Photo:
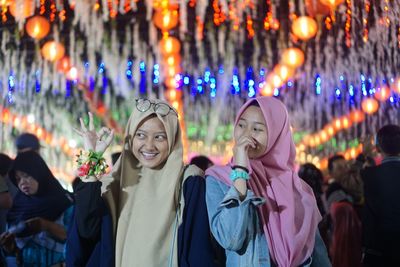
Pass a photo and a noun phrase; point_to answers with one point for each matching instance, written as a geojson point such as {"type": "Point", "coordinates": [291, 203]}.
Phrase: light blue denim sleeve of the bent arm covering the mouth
{"type": "Point", "coordinates": [230, 217]}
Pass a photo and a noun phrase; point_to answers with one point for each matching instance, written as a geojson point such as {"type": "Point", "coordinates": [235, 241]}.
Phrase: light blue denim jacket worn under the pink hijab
{"type": "Point", "coordinates": [236, 226]}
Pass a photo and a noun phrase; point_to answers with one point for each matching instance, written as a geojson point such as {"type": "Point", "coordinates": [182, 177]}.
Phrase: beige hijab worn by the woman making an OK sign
{"type": "Point", "coordinates": [144, 201]}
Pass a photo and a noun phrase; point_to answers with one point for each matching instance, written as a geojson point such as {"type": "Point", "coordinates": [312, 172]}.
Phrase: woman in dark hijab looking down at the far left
{"type": "Point", "coordinates": [39, 216]}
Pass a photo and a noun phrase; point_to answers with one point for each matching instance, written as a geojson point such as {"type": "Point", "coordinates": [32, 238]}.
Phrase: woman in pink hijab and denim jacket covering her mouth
{"type": "Point", "coordinates": [260, 211]}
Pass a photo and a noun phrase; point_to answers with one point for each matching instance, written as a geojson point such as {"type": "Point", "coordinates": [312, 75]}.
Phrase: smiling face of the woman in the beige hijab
{"type": "Point", "coordinates": [150, 143]}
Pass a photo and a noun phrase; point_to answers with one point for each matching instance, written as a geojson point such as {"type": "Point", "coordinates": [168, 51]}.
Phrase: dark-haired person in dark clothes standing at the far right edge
{"type": "Point", "coordinates": [381, 220]}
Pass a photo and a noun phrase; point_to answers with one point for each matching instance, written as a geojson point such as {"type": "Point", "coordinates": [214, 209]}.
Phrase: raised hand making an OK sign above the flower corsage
{"type": "Point", "coordinates": [92, 140]}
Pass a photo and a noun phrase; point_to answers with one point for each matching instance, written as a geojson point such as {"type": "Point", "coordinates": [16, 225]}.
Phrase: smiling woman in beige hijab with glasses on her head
{"type": "Point", "coordinates": [156, 205]}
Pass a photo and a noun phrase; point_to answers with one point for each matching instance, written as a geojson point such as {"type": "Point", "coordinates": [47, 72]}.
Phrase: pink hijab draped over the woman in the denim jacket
{"type": "Point", "coordinates": [290, 215]}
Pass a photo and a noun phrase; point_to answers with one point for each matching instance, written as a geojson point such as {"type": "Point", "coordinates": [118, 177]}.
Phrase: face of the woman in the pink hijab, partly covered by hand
{"type": "Point", "coordinates": [252, 124]}
